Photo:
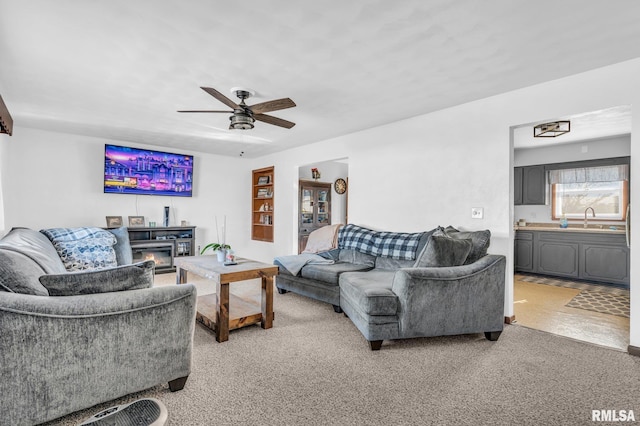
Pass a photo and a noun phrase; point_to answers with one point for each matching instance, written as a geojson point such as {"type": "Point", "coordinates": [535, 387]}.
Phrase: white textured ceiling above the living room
{"type": "Point", "coordinates": [120, 68]}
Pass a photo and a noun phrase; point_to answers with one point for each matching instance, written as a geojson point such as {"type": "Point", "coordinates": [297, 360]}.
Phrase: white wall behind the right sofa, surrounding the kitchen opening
{"type": "Point", "coordinates": [431, 169]}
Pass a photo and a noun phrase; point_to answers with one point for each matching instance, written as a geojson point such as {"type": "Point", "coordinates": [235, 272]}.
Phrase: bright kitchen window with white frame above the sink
{"type": "Point", "coordinates": [603, 188]}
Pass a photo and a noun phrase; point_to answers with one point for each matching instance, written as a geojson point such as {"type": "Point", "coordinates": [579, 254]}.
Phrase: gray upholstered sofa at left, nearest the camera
{"type": "Point", "coordinates": [70, 340]}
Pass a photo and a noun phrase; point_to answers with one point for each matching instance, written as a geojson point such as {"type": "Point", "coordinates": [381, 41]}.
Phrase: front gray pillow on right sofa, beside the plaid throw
{"type": "Point", "coordinates": [442, 251]}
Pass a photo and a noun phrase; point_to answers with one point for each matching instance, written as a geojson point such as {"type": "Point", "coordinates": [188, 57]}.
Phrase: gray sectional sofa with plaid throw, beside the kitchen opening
{"type": "Point", "coordinates": [398, 285]}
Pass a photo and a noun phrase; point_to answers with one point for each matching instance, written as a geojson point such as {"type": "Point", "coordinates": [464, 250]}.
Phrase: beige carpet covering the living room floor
{"type": "Point", "coordinates": [315, 368]}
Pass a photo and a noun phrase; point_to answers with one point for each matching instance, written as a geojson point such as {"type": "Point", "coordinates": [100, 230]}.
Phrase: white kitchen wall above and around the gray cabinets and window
{"type": "Point", "coordinates": [619, 146]}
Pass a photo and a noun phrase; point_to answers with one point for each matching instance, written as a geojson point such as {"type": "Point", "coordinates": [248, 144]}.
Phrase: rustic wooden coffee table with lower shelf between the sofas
{"type": "Point", "coordinates": [222, 311]}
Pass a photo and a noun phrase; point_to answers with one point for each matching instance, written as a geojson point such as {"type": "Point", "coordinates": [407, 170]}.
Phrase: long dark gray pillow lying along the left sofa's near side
{"type": "Point", "coordinates": [126, 277]}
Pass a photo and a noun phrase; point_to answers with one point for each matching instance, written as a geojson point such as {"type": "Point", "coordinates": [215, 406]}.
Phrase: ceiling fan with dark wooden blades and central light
{"type": "Point", "coordinates": [245, 115]}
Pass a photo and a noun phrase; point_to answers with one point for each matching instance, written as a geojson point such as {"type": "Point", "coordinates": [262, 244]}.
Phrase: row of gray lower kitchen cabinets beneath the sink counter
{"type": "Point", "coordinates": [598, 257]}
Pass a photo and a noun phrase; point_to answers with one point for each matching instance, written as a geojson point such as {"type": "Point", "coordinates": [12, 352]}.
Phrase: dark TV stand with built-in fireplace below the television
{"type": "Point", "coordinates": [162, 244]}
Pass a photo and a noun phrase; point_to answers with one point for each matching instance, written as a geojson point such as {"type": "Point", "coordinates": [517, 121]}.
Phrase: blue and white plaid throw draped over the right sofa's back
{"type": "Point", "coordinates": [396, 245]}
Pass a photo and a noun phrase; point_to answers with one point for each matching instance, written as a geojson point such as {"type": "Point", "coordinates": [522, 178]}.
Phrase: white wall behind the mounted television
{"type": "Point", "coordinates": [56, 180]}
